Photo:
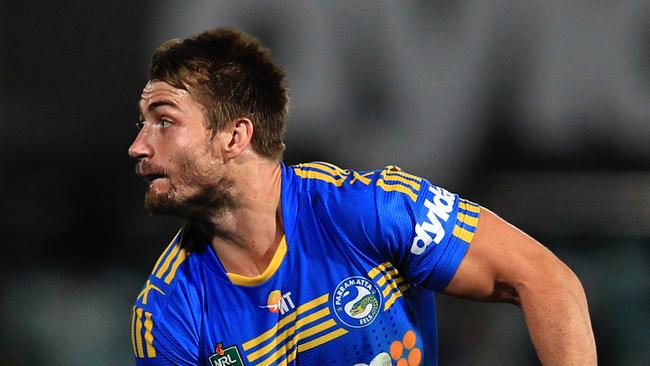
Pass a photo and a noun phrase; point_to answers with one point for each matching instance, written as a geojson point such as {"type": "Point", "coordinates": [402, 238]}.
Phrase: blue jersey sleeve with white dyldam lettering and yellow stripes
{"type": "Point", "coordinates": [426, 228]}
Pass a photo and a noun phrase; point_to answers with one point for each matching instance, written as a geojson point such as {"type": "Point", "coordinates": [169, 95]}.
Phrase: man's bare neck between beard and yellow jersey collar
{"type": "Point", "coordinates": [246, 237]}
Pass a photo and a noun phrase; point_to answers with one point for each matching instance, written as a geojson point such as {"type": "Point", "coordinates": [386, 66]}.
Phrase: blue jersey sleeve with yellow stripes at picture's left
{"type": "Point", "coordinates": [163, 328]}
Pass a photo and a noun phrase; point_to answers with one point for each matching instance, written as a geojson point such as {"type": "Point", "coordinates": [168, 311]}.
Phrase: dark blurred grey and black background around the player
{"type": "Point", "coordinates": [537, 110]}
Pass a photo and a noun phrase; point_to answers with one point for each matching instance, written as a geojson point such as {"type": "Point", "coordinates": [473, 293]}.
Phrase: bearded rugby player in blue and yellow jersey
{"type": "Point", "coordinates": [311, 264]}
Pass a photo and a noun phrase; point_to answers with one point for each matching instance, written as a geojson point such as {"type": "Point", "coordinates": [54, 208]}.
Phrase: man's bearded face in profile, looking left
{"type": "Point", "coordinates": [178, 155]}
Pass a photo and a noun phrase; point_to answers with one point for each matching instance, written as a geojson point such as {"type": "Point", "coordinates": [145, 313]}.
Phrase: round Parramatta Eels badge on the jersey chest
{"type": "Point", "coordinates": [356, 301]}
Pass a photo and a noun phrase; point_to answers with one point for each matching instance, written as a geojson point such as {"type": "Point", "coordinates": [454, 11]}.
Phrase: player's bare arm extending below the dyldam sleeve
{"type": "Point", "coordinates": [503, 264]}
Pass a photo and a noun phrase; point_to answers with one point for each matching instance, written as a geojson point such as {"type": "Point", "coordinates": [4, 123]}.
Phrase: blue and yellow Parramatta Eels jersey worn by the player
{"type": "Point", "coordinates": [351, 283]}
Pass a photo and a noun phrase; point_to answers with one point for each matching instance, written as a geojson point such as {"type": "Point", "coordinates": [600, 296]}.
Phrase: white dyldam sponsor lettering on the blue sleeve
{"type": "Point", "coordinates": [439, 209]}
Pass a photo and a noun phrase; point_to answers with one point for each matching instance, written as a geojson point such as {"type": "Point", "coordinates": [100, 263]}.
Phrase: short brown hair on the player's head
{"type": "Point", "coordinates": [232, 75]}
